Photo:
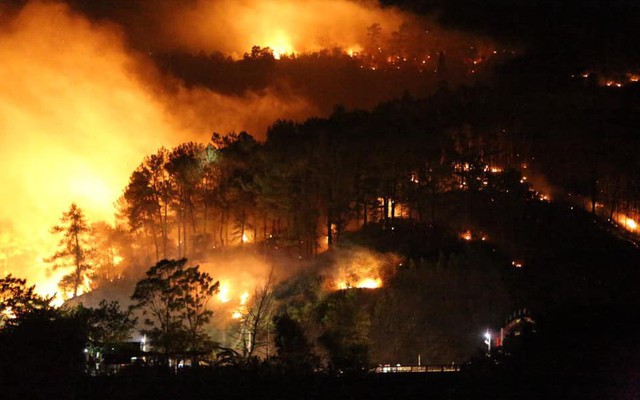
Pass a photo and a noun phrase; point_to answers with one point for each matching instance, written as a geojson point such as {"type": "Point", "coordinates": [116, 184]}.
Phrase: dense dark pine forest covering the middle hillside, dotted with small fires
{"type": "Point", "coordinates": [470, 205]}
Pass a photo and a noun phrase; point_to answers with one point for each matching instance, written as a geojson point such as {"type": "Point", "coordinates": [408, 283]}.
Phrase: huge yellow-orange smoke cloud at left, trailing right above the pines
{"type": "Point", "coordinates": [78, 112]}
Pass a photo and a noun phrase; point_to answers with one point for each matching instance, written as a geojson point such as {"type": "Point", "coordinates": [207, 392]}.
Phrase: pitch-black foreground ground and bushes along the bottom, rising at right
{"type": "Point", "coordinates": [588, 352]}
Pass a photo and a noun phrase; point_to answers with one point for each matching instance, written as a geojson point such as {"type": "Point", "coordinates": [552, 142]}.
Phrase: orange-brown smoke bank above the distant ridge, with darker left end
{"type": "Point", "coordinates": [233, 27]}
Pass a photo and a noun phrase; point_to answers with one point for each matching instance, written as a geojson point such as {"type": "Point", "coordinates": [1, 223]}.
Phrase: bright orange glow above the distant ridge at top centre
{"type": "Point", "coordinates": [285, 26]}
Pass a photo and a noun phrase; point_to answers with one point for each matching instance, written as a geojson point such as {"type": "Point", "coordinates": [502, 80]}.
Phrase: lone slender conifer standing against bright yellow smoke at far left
{"type": "Point", "coordinates": [74, 250]}
